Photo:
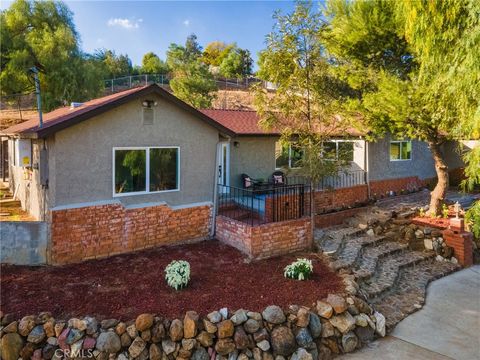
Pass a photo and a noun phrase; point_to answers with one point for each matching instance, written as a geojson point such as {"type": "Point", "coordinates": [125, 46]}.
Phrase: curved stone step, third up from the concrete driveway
{"type": "Point", "coordinates": [367, 265]}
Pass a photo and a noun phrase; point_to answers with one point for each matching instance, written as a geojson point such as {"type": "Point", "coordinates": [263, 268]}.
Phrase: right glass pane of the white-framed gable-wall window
{"type": "Point", "coordinates": [163, 169]}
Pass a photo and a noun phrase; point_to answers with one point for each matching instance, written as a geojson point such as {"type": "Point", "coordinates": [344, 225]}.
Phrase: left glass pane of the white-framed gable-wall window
{"type": "Point", "coordinates": [130, 171]}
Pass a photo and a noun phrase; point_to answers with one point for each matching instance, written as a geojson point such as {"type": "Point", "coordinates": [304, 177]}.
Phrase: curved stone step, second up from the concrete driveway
{"type": "Point", "coordinates": [388, 271]}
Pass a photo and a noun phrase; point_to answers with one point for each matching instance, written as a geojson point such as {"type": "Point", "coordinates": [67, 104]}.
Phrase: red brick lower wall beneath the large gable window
{"type": "Point", "coordinates": [83, 233]}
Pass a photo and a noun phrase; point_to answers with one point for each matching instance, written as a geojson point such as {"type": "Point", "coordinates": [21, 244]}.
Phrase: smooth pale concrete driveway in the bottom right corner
{"type": "Point", "coordinates": [446, 328]}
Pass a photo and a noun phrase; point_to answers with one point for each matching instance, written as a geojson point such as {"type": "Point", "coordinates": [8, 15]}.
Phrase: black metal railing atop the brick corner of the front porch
{"type": "Point", "coordinates": [266, 205]}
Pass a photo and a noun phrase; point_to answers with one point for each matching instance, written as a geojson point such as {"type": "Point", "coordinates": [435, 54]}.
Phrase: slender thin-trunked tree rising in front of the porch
{"type": "Point", "coordinates": [306, 104]}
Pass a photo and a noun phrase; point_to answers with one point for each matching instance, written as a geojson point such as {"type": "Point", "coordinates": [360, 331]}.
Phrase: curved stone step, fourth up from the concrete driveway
{"type": "Point", "coordinates": [352, 251]}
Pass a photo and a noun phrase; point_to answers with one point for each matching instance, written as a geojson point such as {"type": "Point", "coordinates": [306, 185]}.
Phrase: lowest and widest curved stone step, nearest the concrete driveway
{"type": "Point", "coordinates": [409, 295]}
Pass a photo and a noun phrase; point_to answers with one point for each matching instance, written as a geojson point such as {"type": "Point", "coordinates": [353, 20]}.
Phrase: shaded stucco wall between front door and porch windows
{"type": "Point", "coordinates": [254, 156]}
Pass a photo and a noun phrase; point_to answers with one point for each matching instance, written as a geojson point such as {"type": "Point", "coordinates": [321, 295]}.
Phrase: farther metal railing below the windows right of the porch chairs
{"type": "Point", "coordinates": [342, 180]}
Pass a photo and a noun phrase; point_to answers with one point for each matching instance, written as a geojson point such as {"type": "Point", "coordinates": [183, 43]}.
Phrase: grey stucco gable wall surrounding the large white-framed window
{"type": "Point", "coordinates": [81, 157]}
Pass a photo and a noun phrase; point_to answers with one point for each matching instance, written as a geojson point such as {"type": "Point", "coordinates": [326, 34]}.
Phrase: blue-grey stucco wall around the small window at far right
{"type": "Point", "coordinates": [380, 166]}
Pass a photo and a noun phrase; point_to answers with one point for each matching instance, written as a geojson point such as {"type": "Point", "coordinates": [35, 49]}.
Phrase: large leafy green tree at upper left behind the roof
{"type": "Point", "coordinates": [42, 34]}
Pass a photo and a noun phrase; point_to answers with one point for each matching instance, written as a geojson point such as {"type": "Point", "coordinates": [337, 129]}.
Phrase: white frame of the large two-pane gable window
{"type": "Point", "coordinates": [147, 160]}
